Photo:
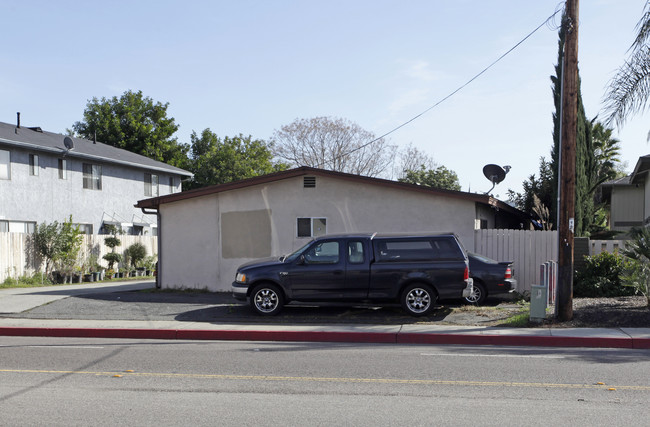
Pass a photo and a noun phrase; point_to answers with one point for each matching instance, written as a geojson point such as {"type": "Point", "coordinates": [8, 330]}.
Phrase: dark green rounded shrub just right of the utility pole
{"type": "Point", "coordinates": [601, 276]}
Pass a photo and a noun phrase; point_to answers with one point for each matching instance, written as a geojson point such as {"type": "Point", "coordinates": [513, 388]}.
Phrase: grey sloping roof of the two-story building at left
{"type": "Point", "coordinates": [39, 140]}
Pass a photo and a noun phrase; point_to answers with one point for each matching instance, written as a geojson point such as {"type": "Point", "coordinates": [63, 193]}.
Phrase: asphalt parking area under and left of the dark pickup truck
{"type": "Point", "coordinates": [112, 303]}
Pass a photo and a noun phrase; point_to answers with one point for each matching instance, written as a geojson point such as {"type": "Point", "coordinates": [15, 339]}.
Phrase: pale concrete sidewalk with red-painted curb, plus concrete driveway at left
{"type": "Point", "coordinates": [22, 299]}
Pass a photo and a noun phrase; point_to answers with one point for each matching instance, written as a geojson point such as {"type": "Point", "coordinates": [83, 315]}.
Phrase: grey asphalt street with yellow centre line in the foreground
{"type": "Point", "coordinates": [56, 381]}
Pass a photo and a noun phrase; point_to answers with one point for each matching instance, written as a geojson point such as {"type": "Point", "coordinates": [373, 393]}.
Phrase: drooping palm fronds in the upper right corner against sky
{"type": "Point", "coordinates": [629, 90]}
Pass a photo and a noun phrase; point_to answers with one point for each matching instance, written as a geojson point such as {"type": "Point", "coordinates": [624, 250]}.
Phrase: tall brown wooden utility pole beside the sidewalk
{"type": "Point", "coordinates": [566, 226]}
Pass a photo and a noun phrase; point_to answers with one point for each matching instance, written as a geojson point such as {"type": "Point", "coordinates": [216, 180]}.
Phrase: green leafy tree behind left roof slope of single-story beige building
{"type": "Point", "coordinates": [217, 161]}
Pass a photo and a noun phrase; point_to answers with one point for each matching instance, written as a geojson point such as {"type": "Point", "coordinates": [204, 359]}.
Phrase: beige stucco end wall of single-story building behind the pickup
{"type": "Point", "coordinates": [191, 237]}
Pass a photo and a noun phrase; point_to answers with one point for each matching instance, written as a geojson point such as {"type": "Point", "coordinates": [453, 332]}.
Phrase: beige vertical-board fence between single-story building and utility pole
{"type": "Point", "coordinates": [527, 249]}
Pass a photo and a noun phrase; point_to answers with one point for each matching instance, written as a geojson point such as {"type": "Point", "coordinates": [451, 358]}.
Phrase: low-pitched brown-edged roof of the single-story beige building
{"type": "Point", "coordinates": [155, 202]}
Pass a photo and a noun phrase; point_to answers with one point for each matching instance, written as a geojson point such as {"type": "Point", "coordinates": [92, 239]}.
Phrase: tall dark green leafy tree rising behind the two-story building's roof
{"type": "Point", "coordinates": [135, 123]}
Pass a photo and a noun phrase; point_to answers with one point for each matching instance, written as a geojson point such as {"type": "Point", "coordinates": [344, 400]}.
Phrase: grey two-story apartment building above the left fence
{"type": "Point", "coordinates": [44, 178]}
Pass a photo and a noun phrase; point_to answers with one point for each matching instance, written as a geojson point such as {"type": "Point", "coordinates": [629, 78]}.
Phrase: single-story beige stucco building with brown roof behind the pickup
{"type": "Point", "coordinates": [205, 234]}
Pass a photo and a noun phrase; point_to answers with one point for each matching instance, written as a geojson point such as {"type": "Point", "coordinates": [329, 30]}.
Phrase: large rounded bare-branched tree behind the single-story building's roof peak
{"type": "Point", "coordinates": [335, 144]}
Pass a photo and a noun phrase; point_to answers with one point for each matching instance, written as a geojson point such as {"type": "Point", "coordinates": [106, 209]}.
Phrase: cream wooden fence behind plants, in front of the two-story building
{"type": "Point", "coordinates": [17, 258]}
